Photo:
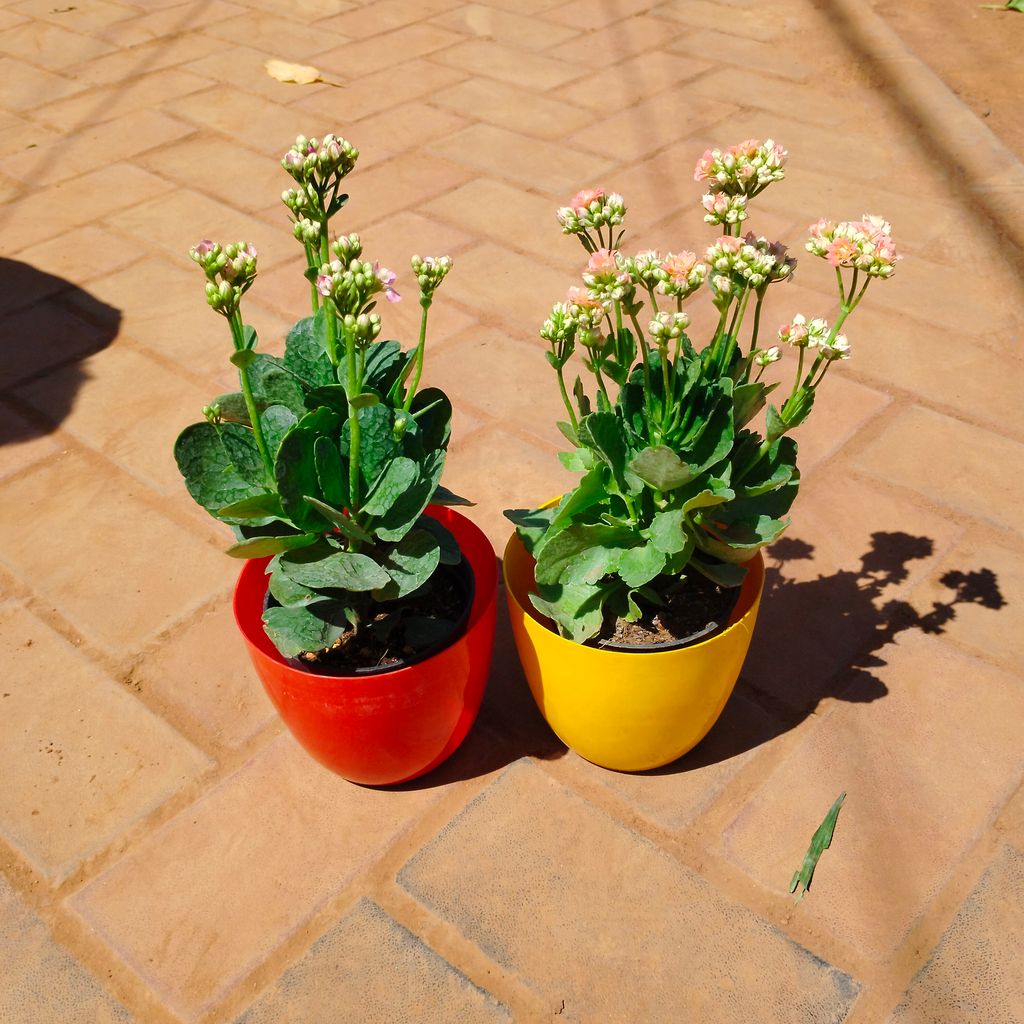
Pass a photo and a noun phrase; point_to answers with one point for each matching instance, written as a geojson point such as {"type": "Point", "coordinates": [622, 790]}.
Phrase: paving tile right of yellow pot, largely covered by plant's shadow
{"type": "Point", "coordinates": [836, 584]}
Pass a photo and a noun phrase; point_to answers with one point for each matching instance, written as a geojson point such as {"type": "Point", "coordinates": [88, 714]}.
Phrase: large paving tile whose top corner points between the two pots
{"type": "Point", "coordinates": [624, 902]}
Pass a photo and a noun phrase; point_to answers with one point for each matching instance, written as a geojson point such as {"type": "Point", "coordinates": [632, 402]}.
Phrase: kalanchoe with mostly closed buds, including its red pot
{"type": "Point", "coordinates": [367, 603]}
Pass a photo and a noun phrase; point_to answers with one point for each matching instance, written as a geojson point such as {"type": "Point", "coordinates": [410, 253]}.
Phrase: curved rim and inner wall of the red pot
{"type": "Point", "coordinates": [485, 573]}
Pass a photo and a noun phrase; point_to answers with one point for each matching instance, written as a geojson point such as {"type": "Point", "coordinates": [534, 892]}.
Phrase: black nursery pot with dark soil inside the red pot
{"type": "Point", "coordinates": [404, 632]}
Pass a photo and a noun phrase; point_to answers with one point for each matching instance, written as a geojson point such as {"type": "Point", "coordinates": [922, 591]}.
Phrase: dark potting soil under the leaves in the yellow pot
{"type": "Point", "coordinates": [692, 605]}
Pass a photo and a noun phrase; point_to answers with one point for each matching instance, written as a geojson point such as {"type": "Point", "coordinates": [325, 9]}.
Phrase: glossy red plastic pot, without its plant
{"type": "Point", "coordinates": [393, 728]}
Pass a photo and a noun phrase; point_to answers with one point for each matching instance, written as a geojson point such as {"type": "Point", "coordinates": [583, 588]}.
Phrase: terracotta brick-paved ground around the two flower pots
{"type": "Point", "coordinates": [168, 855]}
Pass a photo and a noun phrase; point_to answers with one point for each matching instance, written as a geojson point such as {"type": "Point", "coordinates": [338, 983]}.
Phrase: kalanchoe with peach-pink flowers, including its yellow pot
{"type": "Point", "coordinates": [633, 599]}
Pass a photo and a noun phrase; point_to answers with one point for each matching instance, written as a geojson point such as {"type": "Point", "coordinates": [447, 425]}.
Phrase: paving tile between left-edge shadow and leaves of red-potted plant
{"type": "Point", "coordinates": [120, 397]}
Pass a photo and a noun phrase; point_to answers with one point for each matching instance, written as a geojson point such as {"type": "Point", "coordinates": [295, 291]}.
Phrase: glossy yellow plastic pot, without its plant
{"type": "Point", "coordinates": [627, 710]}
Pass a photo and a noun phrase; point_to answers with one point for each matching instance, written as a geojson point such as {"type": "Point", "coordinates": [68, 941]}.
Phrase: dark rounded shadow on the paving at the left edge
{"type": "Point", "coordinates": [49, 327]}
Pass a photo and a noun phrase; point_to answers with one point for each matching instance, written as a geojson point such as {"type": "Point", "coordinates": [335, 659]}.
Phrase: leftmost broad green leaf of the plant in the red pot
{"type": "Point", "coordinates": [222, 465]}
